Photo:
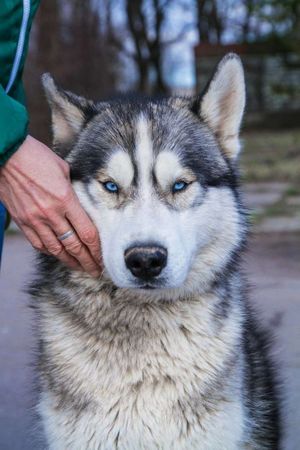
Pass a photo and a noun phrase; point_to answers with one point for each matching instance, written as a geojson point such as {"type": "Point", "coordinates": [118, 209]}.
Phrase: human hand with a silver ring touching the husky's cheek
{"type": "Point", "coordinates": [36, 189]}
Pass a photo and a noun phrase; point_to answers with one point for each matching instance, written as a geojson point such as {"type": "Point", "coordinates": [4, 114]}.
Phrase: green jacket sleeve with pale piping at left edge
{"type": "Point", "coordinates": [15, 22]}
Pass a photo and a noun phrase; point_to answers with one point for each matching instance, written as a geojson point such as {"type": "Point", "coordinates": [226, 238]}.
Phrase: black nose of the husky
{"type": "Point", "coordinates": [146, 262]}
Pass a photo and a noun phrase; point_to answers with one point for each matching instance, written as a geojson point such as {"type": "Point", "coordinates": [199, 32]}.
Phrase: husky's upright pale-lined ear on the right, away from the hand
{"type": "Point", "coordinates": [223, 103]}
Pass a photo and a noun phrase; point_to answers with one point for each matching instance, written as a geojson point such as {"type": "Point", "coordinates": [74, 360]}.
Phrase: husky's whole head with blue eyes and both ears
{"type": "Point", "coordinates": [157, 179]}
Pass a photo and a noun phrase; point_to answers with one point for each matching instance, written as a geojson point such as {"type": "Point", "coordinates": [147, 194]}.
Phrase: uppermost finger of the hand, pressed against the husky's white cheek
{"type": "Point", "coordinates": [85, 229]}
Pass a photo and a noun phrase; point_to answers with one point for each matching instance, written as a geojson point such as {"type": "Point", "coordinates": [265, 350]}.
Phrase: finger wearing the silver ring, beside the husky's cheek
{"type": "Point", "coordinates": [73, 246]}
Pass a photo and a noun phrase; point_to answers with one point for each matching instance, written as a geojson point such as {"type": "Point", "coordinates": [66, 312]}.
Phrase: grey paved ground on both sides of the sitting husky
{"type": "Point", "coordinates": [273, 267]}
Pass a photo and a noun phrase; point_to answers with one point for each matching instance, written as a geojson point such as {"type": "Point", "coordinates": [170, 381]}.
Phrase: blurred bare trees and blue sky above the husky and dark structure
{"type": "Point", "coordinates": [102, 46]}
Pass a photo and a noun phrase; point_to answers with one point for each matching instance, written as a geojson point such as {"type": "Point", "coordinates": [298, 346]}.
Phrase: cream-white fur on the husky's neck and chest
{"type": "Point", "coordinates": [123, 347]}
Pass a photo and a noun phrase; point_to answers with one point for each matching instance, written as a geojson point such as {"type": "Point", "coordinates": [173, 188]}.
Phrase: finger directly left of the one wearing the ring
{"type": "Point", "coordinates": [54, 247]}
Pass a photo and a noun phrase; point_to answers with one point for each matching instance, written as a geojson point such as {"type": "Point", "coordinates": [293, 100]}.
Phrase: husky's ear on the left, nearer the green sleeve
{"type": "Point", "coordinates": [69, 113]}
